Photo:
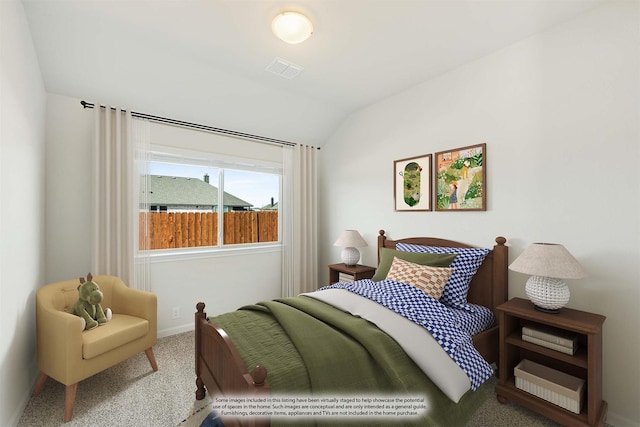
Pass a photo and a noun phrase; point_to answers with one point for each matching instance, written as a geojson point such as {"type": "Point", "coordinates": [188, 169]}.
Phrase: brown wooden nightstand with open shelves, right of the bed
{"type": "Point", "coordinates": [585, 364]}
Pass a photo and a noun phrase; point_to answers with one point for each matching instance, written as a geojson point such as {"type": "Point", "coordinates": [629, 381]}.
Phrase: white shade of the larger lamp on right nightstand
{"type": "Point", "coordinates": [548, 260]}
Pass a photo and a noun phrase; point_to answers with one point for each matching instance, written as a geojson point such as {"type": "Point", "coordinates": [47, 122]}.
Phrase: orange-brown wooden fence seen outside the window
{"type": "Point", "coordinates": [191, 229]}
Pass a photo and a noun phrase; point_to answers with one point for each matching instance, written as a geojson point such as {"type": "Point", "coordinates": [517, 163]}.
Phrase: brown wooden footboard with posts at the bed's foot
{"type": "Point", "coordinates": [220, 368]}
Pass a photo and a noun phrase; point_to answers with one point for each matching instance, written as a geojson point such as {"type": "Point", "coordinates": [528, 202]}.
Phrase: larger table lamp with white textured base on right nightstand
{"type": "Point", "coordinates": [548, 264]}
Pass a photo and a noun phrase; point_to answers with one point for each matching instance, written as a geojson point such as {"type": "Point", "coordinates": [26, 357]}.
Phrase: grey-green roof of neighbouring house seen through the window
{"type": "Point", "coordinates": [179, 191]}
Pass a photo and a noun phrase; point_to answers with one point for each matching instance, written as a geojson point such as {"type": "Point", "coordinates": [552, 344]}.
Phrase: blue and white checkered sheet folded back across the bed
{"type": "Point", "coordinates": [452, 329]}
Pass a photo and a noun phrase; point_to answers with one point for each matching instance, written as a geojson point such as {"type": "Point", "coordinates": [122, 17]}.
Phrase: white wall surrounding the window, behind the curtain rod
{"type": "Point", "coordinates": [223, 282]}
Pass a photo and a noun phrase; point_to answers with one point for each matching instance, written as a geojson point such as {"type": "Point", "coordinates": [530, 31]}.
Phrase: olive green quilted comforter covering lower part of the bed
{"type": "Point", "coordinates": [310, 347]}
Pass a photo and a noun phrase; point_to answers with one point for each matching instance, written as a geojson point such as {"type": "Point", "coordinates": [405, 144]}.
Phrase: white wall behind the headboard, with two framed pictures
{"type": "Point", "coordinates": [559, 114]}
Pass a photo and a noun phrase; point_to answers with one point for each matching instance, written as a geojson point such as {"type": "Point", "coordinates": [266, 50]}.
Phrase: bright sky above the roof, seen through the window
{"type": "Point", "coordinates": [253, 187]}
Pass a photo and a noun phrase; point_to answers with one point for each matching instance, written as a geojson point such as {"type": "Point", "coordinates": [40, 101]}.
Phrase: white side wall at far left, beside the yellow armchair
{"type": "Point", "coordinates": [22, 187]}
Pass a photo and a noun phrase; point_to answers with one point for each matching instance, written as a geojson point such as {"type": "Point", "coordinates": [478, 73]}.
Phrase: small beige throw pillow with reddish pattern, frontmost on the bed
{"type": "Point", "coordinates": [430, 280]}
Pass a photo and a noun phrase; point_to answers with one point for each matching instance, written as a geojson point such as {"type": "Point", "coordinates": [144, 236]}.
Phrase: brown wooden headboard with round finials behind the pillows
{"type": "Point", "coordinates": [489, 286]}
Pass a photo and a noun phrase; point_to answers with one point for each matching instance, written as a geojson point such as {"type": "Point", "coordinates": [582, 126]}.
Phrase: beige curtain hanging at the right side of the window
{"type": "Point", "coordinates": [300, 220]}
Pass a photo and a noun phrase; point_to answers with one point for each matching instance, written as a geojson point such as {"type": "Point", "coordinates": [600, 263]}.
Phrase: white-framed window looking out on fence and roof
{"type": "Point", "coordinates": [202, 200]}
